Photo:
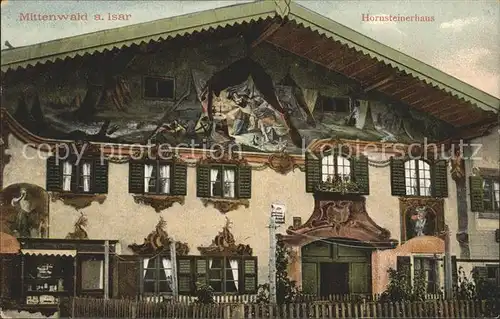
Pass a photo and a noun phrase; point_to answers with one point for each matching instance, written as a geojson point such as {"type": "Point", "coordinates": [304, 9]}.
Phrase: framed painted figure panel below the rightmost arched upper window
{"type": "Point", "coordinates": [421, 217]}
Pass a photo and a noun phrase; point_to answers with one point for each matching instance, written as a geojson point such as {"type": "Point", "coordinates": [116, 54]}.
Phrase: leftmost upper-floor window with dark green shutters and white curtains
{"type": "Point", "coordinates": [88, 175]}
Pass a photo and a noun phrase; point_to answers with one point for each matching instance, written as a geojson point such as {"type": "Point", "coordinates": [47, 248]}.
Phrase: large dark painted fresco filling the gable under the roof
{"type": "Point", "coordinates": [243, 101]}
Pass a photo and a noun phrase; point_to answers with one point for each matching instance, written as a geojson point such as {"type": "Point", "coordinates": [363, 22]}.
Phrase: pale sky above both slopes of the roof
{"type": "Point", "coordinates": [460, 37]}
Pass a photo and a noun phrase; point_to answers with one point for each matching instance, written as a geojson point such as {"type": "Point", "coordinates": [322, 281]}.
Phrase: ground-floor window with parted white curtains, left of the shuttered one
{"type": "Point", "coordinates": [156, 276]}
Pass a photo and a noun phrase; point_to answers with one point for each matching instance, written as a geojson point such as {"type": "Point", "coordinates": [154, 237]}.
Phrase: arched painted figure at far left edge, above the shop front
{"type": "Point", "coordinates": [24, 211]}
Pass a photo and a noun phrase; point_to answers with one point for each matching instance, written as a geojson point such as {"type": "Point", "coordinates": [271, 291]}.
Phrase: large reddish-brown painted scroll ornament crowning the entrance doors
{"type": "Point", "coordinates": [341, 216]}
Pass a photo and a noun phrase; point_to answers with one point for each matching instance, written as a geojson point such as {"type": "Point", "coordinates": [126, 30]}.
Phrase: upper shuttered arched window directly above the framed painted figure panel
{"type": "Point", "coordinates": [417, 177]}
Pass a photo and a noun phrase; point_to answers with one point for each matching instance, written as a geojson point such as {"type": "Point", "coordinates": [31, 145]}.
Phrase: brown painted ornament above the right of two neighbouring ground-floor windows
{"type": "Point", "coordinates": [225, 245]}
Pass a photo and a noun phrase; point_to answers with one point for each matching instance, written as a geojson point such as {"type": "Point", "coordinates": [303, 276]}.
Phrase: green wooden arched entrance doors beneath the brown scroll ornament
{"type": "Point", "coordinates": [336, 266]}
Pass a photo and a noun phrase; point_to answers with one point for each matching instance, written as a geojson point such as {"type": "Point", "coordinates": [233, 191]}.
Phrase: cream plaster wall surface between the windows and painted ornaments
{"type": "Point", "coordinates": [119, 217]}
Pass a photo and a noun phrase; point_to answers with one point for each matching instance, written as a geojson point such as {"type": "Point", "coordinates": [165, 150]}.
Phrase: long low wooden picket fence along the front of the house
{"type": "Point", "coordinates": [116, 308]}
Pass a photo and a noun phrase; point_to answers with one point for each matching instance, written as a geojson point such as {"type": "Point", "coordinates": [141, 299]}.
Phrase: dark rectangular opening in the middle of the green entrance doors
{"type": "Point", "coordinates": [334, 279]}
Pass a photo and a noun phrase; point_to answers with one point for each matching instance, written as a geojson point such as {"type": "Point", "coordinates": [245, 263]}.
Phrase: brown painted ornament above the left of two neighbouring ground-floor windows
{"type": "Point", "coordinates": [158, 241]}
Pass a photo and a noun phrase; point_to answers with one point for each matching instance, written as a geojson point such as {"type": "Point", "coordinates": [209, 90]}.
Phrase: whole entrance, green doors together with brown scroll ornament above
{"type": "Point", "coordinates": [332, 250]}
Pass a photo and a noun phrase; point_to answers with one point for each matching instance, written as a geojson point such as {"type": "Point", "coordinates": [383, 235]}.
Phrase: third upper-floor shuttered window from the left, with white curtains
{"type": "Point", "coordinates": [224, 181]}
